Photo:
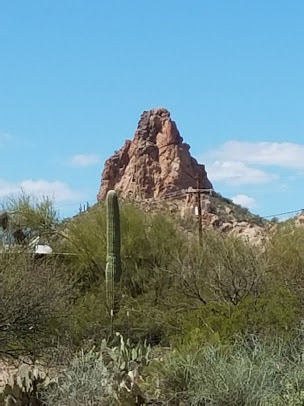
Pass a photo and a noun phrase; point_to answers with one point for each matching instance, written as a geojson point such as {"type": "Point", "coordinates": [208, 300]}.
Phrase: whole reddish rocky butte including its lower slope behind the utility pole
{"type": "Point", "coordinates": [156, 170]}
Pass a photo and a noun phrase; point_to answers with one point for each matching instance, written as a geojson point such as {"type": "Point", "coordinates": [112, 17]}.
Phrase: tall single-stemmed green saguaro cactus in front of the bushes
{"type": "Point", "coordinates": [113, 267]}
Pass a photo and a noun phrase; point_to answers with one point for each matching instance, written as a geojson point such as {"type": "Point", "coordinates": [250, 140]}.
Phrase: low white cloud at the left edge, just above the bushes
{"type": "Point", "coordinates": [57, 190]}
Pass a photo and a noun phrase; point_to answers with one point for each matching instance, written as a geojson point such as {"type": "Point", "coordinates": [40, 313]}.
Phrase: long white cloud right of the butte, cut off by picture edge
{"type": "Point", "coordinates": [284, 154]}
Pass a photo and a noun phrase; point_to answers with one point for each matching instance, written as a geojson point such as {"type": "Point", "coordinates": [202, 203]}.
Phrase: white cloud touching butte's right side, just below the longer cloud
{"type": "Point", "coordinates": [237, 172]}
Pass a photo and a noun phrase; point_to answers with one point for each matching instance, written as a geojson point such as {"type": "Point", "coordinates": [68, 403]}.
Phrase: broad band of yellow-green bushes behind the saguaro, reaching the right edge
{"type": "Point", "coordinates": [174, 290]}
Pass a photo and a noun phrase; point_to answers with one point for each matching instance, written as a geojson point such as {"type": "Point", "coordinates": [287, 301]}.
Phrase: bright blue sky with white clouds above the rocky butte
{"type": "Point", "coordinates": [75, 76]}
